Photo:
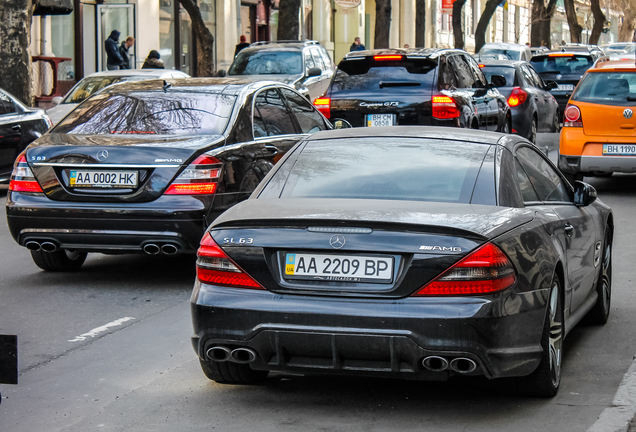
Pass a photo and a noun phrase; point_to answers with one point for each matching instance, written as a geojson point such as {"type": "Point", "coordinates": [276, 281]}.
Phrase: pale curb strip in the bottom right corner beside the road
{"type": "Point", "coordinates": [617, 417]}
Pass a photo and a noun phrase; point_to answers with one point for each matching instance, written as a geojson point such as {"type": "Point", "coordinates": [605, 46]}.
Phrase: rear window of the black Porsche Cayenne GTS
{"type": "Point", "coordinates": [392, 76]}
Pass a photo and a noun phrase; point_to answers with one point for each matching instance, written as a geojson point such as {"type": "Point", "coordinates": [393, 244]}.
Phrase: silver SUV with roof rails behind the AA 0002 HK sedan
{"type": "Point", "coordinates": [305, 65]}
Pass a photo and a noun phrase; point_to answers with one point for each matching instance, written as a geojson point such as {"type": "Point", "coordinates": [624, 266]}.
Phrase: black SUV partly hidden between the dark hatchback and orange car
{"type": "Point", "coordinates": [566, 66]}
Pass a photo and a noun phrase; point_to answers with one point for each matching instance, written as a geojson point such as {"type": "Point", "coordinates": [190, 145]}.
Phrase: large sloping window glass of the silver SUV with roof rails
{"type": "Point", "coordinates": [266, 62]}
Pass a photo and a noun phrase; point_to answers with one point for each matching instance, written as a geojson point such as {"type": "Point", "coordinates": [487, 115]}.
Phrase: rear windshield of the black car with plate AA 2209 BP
{"type": "Point", "coordinates": [408, 169]}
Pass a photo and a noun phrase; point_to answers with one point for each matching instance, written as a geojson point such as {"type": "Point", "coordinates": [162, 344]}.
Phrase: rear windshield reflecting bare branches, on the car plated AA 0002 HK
{"type": "Point", "coordinates": [174, 113]}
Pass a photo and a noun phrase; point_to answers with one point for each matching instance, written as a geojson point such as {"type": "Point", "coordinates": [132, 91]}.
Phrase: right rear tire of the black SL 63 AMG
{"type": "Point", "coordinates": [545, 380]}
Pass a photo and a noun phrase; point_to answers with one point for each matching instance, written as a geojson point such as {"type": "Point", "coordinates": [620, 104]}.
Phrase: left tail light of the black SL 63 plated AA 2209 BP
{"type": "Point", "coordinates": [216, 268]}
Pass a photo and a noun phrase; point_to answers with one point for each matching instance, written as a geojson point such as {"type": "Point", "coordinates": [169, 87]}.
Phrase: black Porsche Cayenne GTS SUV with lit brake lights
{"type": "Point", "coordinates": [443, 87]}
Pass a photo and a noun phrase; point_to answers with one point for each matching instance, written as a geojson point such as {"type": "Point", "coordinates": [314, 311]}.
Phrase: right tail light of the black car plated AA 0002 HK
{"type": "Point", "coordinates": [200, 177]}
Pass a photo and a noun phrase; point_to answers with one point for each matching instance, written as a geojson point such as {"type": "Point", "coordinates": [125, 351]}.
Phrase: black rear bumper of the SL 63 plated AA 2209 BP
{"type": "Point", "coordinates": [320, 335]}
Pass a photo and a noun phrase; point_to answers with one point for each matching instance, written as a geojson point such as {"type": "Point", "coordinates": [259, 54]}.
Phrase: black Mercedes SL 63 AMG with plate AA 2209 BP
{"type": "Point", "coordinates": [412, 252]}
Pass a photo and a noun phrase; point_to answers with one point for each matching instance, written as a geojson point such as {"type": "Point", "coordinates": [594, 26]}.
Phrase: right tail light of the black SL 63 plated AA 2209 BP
{"type": "Point", "coordinates": [484, 271]}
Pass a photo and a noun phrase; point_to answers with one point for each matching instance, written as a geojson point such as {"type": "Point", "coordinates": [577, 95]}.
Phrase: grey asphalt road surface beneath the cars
{"type": "Point", "coordinates": [141, 374]}
